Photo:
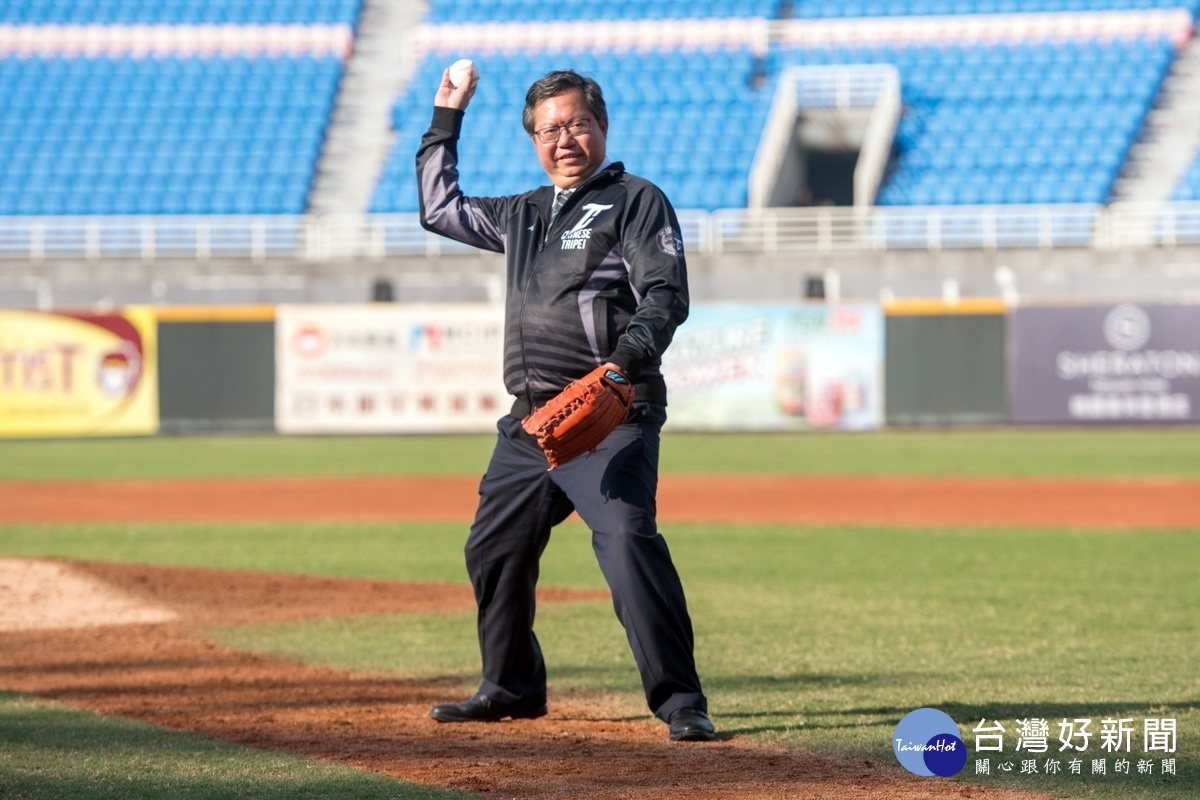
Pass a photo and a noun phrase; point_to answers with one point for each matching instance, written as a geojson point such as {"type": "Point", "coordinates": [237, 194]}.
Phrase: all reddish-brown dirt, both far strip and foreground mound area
{"type": "Point", "coordinates": [167, 673]}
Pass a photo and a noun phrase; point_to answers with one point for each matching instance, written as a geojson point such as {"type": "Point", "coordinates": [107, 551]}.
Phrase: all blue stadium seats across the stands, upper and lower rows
{"type": "Point", "coordinates": [986, 122]}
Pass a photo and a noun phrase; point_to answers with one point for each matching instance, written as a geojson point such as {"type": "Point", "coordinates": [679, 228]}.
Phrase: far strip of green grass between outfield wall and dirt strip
{"type": "Point", "coordinates": [1125, 453]}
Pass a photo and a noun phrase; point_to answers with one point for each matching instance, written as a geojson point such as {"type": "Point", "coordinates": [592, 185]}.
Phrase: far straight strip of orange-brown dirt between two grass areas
{"type": "Point", "coordinates": [1151, 503]}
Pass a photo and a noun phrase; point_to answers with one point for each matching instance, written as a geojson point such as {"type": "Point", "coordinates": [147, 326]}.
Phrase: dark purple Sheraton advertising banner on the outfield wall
{"type": "Point", "coordinates": [1106, 364]}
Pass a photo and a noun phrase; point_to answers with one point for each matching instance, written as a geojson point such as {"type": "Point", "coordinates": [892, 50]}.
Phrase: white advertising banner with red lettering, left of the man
{"type": "Point", "coordinates": [385, 369]}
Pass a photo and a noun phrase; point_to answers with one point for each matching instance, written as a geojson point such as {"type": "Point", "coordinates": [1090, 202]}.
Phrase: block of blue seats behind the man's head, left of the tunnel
{"type": "Point", "coordinates": [718, 109]}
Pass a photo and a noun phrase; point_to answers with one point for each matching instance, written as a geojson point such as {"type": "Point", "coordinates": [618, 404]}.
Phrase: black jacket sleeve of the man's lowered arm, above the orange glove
{"type": "Point", "coordinates": [658, 273]}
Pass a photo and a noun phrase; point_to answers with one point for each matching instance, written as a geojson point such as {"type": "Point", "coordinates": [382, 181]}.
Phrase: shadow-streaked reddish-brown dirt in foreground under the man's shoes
{"type": "Point", "coordinates": [169, 675]}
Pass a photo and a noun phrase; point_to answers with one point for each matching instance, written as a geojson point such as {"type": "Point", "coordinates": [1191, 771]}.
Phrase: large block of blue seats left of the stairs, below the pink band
{"type": "Point", "coordinates": [159, 130]}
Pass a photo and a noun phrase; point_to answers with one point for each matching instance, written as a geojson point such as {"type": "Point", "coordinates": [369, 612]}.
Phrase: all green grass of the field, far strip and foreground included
{"type": "Point", "coordinates": [812, 637]}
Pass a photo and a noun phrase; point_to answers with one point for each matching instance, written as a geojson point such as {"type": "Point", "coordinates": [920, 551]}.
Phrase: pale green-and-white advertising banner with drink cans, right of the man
{"type": "Point", "coordinates": [777, 368]}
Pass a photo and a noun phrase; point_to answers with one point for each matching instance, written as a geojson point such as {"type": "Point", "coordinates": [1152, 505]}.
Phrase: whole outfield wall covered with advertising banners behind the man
{"type": "Point", "coordinates": [736, 366]}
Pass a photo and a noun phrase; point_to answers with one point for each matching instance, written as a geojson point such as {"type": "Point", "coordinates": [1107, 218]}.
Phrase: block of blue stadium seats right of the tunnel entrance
{"type": "Point", "coordinates": [1024, 109]}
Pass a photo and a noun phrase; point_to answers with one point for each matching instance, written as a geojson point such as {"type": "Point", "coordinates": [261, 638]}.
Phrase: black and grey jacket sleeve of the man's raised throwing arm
{"type": "Point", "coordinates": [478, 222]}
